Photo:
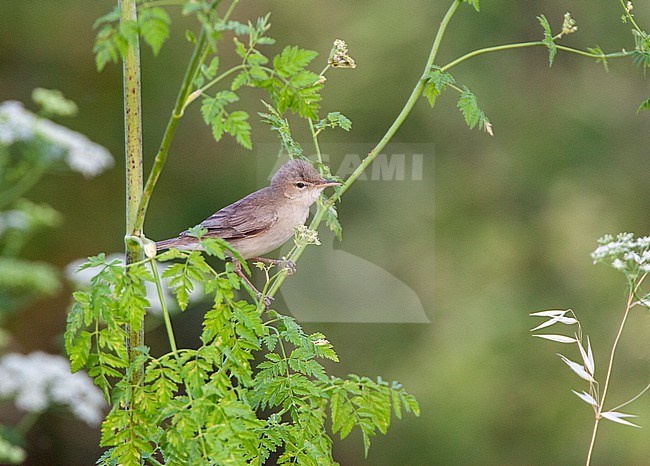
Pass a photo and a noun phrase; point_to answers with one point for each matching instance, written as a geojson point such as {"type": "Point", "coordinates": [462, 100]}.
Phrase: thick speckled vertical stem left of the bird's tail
{"type": "Point", "coordinates": [133, 154]}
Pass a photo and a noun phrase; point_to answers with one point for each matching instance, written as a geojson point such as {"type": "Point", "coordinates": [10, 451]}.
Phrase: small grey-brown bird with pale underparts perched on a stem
{"type": "Point", "coordinates": [265, 219]}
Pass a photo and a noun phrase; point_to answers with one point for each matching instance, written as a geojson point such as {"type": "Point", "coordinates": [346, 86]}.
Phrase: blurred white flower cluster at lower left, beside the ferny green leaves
{"type": "Point", "coordinates": [37, 380]}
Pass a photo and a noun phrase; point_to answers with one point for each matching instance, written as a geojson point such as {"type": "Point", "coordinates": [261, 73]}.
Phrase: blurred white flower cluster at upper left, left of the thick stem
{"type": "Point", "coordinates": [81, 154]}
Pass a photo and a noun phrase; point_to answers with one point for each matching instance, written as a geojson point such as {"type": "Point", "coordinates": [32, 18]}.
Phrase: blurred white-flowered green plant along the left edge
{"type": "Point", "coordinates": [32, 147]}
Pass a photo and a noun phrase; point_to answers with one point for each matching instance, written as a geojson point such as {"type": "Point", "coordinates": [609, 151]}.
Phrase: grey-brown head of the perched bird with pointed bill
{"type": "Point", "coordinates": [300, 181]}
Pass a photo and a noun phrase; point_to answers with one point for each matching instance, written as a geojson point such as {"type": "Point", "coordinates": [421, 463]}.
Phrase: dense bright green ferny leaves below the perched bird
{"type": "Point", "coordinates": [215, 403]}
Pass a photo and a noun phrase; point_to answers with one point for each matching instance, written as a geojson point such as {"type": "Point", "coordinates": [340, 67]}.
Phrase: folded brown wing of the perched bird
{"type": "Point", "coordinates": [247, 217]}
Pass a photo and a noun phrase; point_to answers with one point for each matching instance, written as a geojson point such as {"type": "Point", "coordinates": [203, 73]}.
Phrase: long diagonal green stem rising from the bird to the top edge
{"type": "Point", "coordinates": [406, 110]}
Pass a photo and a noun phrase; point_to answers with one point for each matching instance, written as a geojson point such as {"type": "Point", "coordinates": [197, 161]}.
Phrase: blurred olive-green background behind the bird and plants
{"type": "Point", "coordinates": [499, 226]}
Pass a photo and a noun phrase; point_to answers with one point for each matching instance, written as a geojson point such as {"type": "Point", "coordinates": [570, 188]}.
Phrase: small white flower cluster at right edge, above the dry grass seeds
{"type": "Point", "coordinates": [624, 253]}
